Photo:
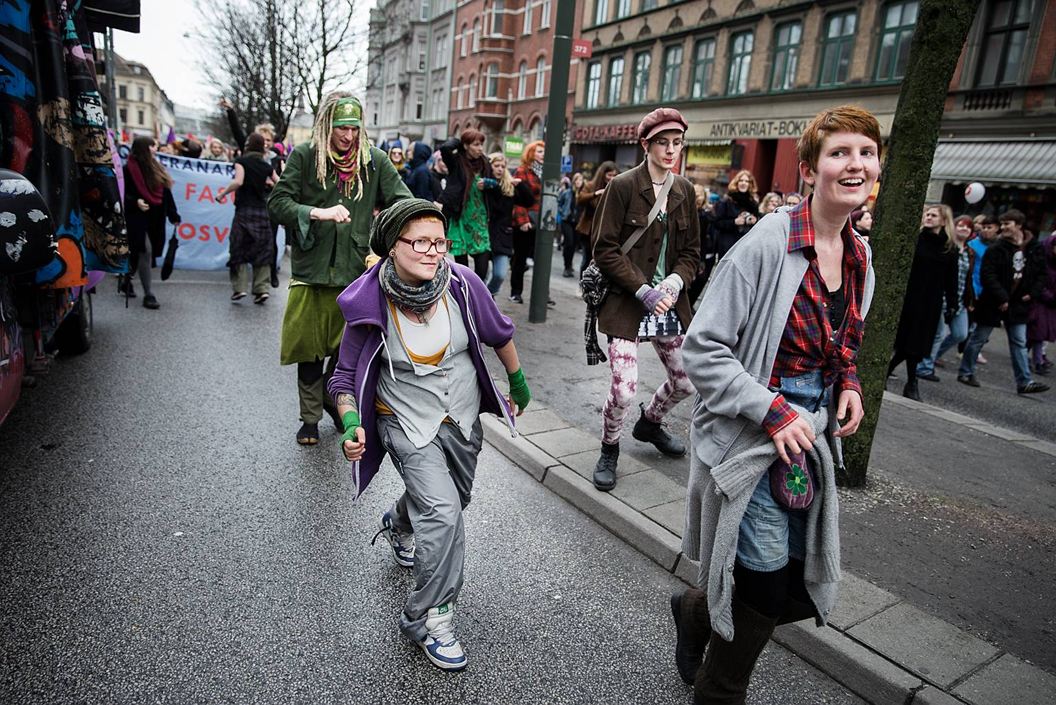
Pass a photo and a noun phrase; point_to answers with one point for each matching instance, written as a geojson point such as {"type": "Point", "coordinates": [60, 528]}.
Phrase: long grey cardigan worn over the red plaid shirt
{"type": "Point", "coordinates": [729, 353]}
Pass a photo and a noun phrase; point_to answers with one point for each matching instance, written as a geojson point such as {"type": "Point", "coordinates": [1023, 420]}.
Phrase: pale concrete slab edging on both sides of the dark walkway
{"type": "Point", "coordinates": [877, 645]}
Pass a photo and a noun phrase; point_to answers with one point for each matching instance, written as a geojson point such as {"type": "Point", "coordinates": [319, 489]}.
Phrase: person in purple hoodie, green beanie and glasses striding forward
{"type": "Point", "coordinates": [411, 382]}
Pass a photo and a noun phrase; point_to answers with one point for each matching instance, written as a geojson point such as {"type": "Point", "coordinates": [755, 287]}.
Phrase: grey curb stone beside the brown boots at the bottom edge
{"type": "Point", "coordinates": [872, 677]}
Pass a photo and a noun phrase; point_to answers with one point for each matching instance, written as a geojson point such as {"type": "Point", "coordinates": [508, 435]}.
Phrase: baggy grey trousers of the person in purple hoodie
{"type": "Point", "coordinates": [440, 485]}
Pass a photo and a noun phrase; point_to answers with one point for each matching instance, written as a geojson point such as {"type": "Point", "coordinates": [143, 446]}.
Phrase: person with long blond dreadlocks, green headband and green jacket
{"type": "Point", "coordinates": [326, 200]}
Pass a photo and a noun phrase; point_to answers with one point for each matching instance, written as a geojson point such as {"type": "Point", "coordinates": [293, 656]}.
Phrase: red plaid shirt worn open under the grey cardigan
{"type": "Point", "coordinates": [810, 342]}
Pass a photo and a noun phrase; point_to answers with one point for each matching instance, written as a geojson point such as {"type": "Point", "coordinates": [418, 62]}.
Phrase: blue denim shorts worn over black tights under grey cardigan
{"type": "Point", "coordinates": [769, 533]}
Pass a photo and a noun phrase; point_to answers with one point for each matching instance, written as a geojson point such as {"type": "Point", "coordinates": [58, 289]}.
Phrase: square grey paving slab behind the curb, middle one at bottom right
{"type": "Point", "coordinates": [934, 650]}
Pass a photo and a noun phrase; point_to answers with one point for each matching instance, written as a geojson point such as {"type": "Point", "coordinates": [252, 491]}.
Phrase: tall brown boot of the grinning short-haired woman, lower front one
{"type": "Point", "coordinates": [728, 668]}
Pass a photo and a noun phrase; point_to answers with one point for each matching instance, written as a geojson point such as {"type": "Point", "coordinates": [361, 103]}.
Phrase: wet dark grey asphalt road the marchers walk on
{"type": "Point", "coordinates": [165, 541]}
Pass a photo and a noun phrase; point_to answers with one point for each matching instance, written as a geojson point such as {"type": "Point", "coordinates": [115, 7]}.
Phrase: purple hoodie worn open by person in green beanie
{"type": "Point", "coordinates": [366, 312]}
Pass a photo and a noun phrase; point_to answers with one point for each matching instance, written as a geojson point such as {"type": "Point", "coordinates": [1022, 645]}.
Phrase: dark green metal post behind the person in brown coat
{"type": "Point", "coordinates": [552, 163]}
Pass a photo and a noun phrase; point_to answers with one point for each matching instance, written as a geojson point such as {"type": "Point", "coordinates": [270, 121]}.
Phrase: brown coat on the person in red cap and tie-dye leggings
{"type": "Point", "coordinates": [625, 207]}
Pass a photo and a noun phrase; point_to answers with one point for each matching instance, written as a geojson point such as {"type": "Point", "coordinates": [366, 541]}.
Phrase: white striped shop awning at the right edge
{"type": "Point", "coordinates": [1021, 162]}
